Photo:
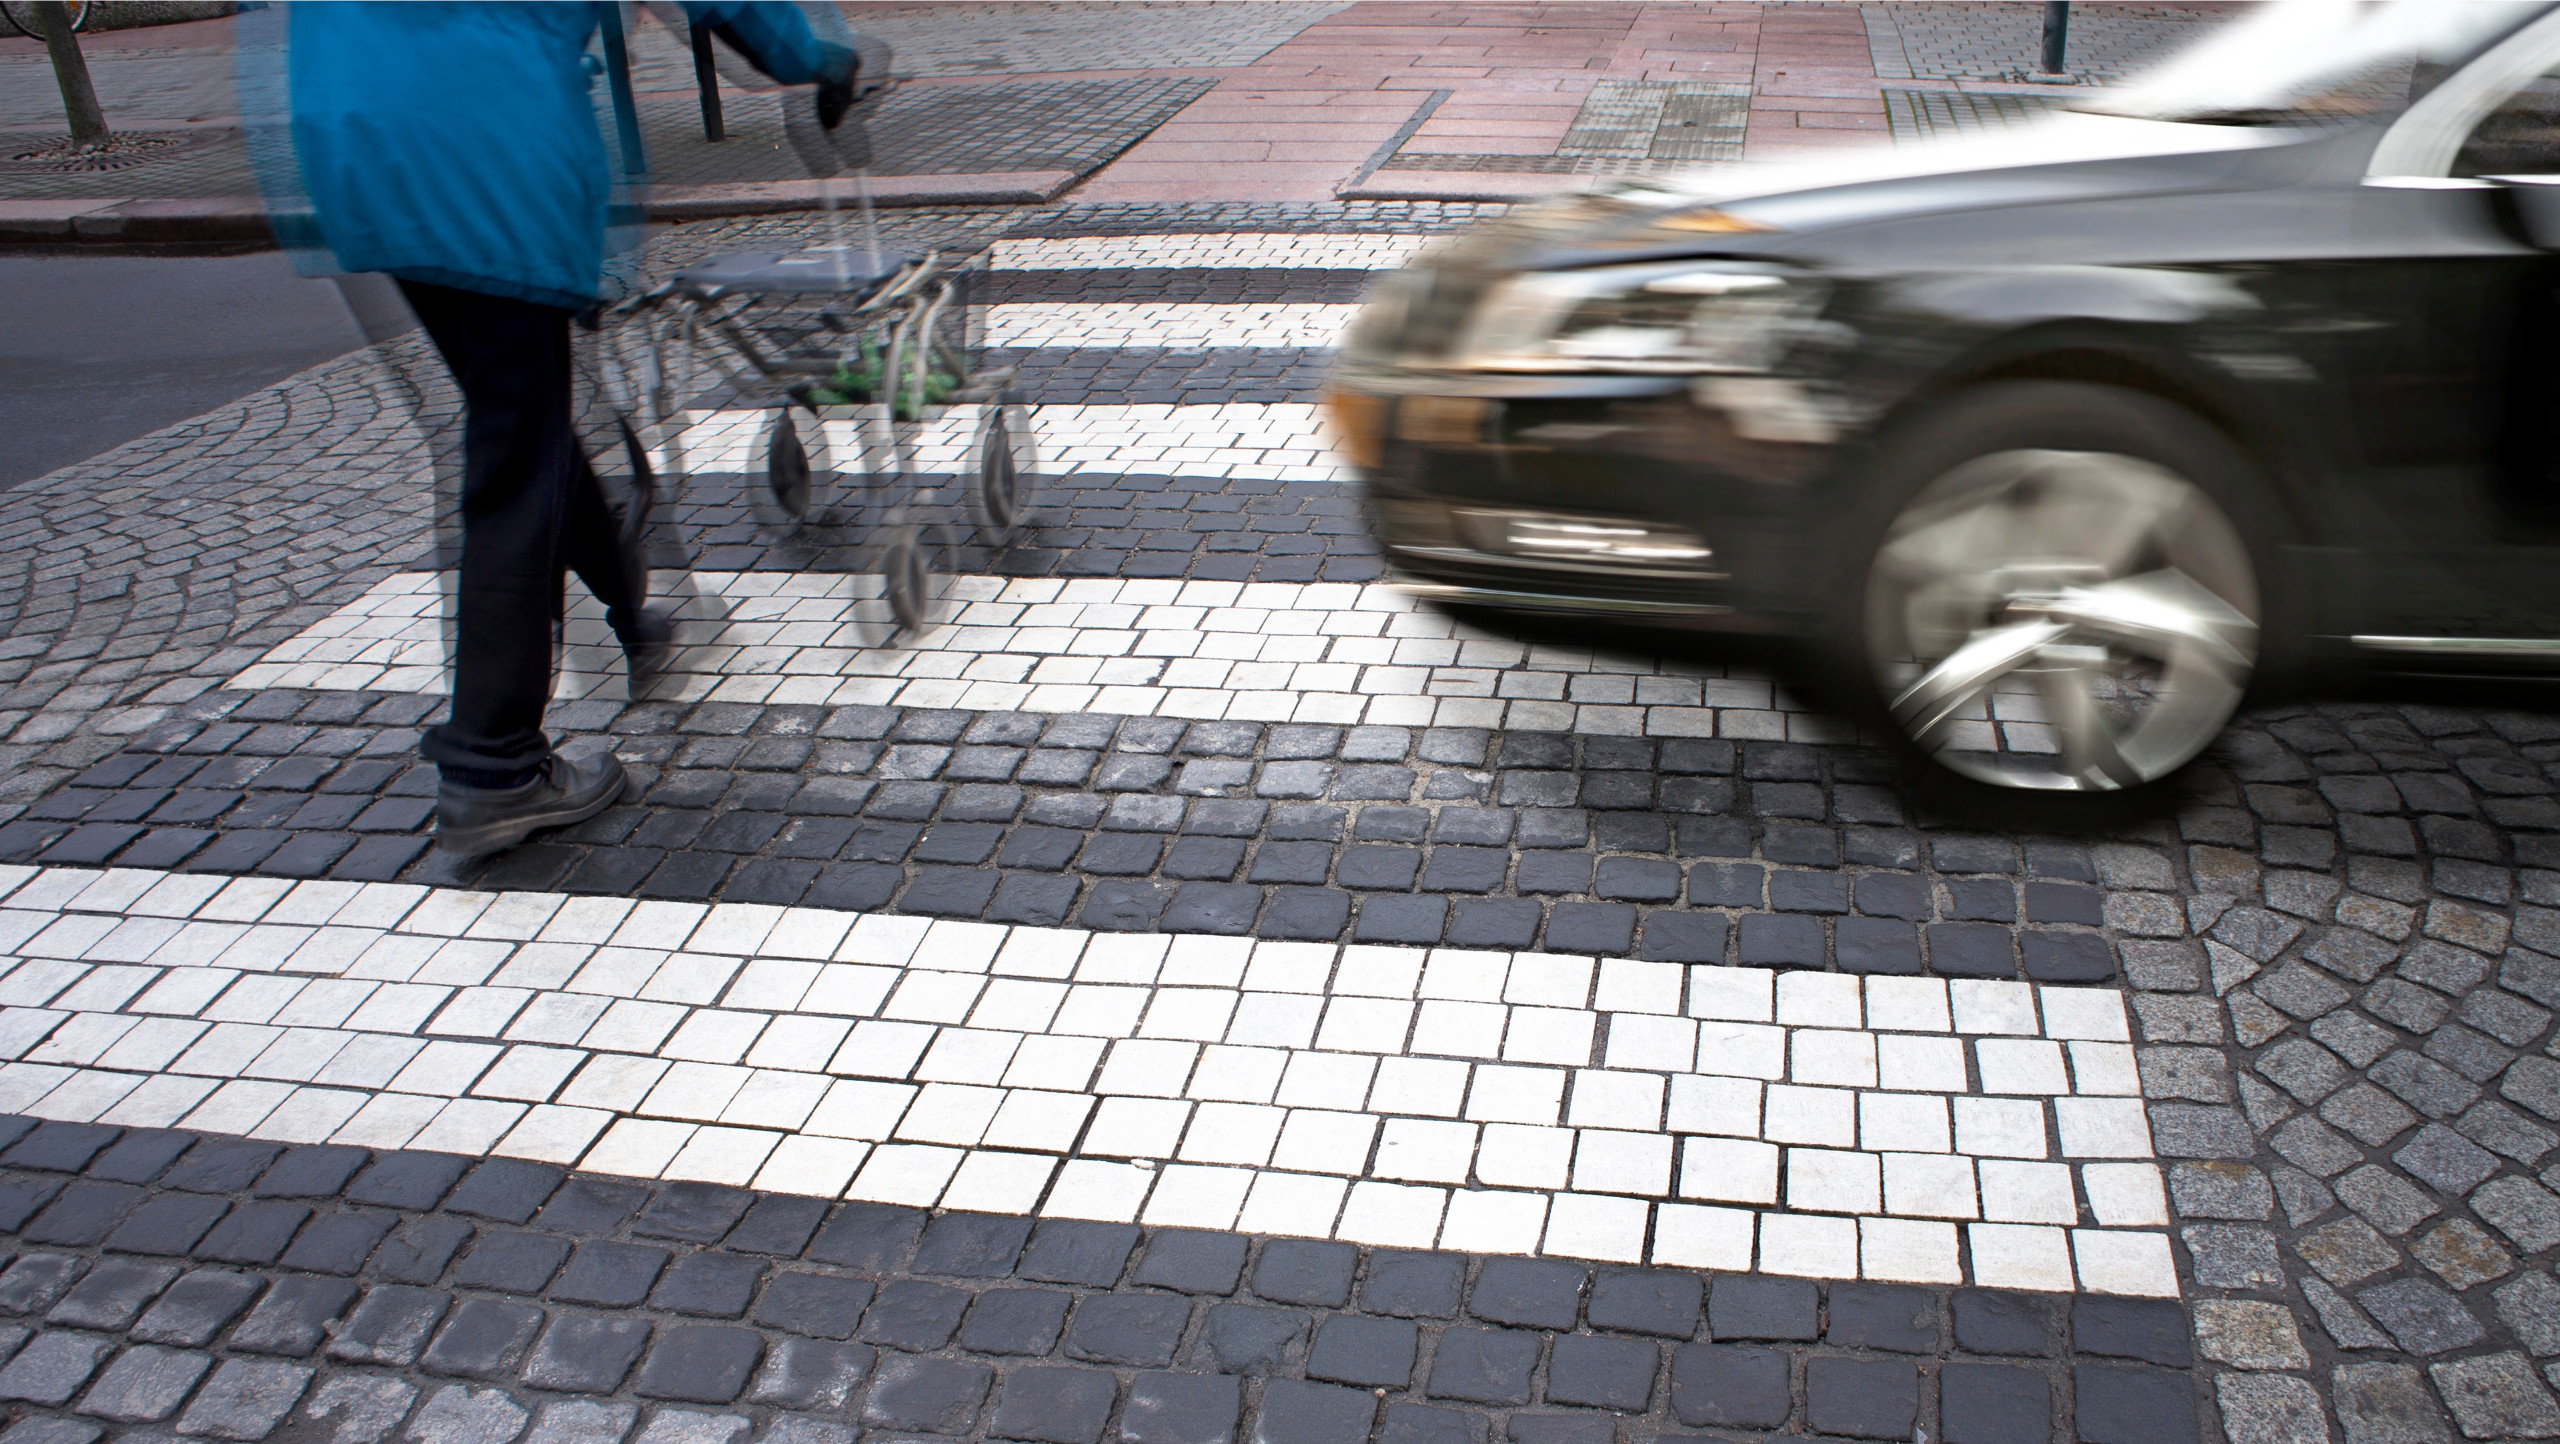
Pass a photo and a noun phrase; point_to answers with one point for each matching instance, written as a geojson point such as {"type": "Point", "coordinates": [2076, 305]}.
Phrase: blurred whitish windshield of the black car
{"type": "Point", "coordinates": [2308, 63]}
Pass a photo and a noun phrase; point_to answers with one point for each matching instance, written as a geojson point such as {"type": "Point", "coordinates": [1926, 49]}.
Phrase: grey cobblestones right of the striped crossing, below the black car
{"type": "Point", "coordinates": [2346, 982]}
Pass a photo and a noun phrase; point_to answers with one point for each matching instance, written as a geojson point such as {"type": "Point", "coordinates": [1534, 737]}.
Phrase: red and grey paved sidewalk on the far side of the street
{"type": "Point", "coordinates": [1302, 101]}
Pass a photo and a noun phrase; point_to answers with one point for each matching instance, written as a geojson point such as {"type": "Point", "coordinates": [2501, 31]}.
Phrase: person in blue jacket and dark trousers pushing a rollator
{"type": "Point", "coordinates": [457, 147]}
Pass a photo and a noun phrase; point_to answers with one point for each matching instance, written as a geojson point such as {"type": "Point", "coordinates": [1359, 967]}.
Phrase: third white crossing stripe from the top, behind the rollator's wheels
{"type": "Point", "coordinates": [1263, 442]}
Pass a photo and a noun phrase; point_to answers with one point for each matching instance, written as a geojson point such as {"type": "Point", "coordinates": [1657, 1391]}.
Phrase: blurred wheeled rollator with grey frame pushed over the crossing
{"type": "Point", "coordinates": [872, 373]}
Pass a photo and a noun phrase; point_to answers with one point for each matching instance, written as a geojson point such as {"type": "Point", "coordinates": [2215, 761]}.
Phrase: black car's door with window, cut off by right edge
{"type": "Point", "coordinates": [2454, 293]}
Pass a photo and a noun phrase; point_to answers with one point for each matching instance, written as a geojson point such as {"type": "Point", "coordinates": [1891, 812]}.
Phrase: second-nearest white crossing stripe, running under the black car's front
{"type": "Point", "coordinates": [1261, 652]}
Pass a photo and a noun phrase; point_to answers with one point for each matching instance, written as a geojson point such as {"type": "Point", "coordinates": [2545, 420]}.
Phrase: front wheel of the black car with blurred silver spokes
{"type": "Point", "coordinates": [2054, 590]}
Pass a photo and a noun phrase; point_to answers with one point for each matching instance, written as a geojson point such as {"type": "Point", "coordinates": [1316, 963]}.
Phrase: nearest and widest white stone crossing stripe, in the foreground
{"type": "Point", "coordinates": [1491, 1102]}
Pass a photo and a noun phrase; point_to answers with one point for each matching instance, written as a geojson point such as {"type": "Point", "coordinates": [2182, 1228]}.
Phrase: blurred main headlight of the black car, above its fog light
{"type": "Point", "coordinates": [1665, 319]}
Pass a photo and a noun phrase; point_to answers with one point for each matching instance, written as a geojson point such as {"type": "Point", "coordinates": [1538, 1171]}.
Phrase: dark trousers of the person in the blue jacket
{"type": "Point", "coordinates": [534, 511]}
